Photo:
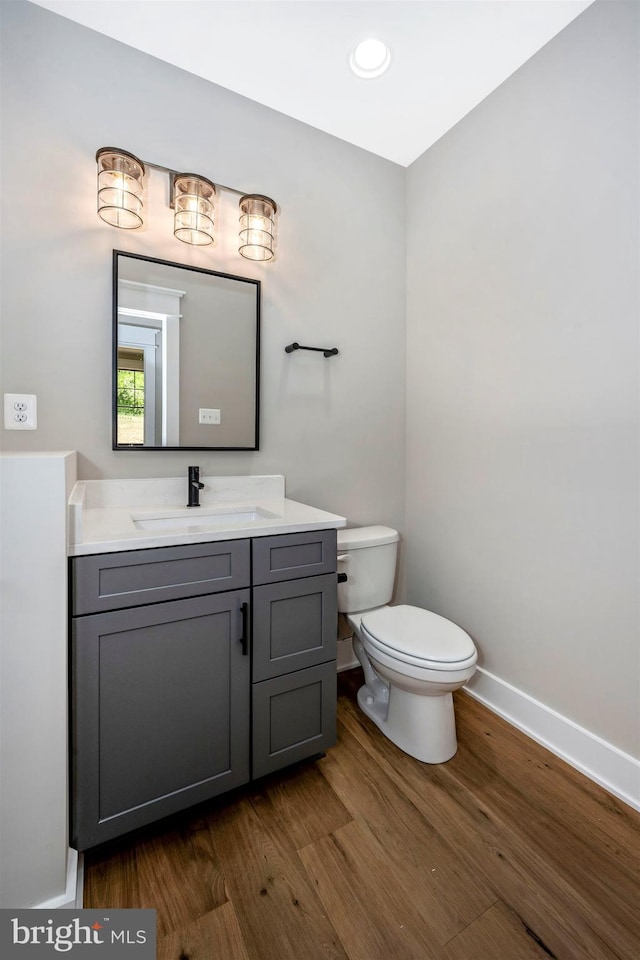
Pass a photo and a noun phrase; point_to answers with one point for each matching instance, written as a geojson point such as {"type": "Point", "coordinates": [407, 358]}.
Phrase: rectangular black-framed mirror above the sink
{"type": "Point", "coordinates": [186, 357]}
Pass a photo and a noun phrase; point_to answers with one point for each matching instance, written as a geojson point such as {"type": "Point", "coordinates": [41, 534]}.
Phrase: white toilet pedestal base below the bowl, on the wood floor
{"type": "Point", "coordinates": [422, 726]}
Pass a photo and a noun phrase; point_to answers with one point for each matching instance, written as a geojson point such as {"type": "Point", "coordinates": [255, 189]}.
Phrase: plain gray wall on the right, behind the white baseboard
{"type": "Point", "coordinates": [522, 497]}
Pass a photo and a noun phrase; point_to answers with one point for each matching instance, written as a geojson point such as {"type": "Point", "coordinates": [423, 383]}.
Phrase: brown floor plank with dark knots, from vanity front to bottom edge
{"type": "Point", "coordinates": [279, 913]}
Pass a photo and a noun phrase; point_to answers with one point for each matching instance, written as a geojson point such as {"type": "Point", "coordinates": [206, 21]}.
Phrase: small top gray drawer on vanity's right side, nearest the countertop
{"type": "Point", "coordinates": [294, 555]}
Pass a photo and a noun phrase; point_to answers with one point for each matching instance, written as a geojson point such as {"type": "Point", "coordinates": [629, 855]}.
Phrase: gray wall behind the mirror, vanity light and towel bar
{"type": "Point", "coordinates": [333, 427]}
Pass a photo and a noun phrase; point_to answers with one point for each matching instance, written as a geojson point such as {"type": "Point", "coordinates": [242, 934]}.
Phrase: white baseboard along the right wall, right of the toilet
{"type": "Point", "coordinates": [608, 766]}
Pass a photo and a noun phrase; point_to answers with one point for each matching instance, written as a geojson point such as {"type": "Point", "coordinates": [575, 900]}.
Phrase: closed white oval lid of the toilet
{"type": "Point", "coordinates": [419, 634]}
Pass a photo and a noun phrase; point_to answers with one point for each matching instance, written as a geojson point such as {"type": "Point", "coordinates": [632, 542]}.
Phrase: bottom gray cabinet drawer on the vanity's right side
{"type": "Point", "coordinates": [294, 717]}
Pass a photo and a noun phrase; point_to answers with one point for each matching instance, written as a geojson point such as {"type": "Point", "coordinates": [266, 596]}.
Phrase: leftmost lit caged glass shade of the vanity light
{"type": "Point", "coordinates": [120, 183]}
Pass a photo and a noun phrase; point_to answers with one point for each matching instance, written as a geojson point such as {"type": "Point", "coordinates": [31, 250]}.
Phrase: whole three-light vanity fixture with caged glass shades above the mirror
{"type": "Point", "coordinates": [120, 185]}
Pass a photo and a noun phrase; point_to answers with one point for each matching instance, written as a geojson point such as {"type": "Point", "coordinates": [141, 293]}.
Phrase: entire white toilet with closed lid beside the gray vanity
{"type": "Point", "coordinates": [412, 659]}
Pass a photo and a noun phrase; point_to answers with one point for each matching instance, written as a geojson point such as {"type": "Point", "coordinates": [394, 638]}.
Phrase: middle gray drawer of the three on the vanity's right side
{"type": "Point", "coordinates": [294, 625]}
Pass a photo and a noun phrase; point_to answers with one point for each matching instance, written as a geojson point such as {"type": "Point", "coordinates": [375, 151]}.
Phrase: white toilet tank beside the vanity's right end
{"type": "Point", "coordinates": [368, 557]}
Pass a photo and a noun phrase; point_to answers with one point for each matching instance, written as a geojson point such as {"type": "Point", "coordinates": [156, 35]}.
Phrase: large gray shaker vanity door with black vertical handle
{"type": "Point", "coordinates": [160, 715]}
